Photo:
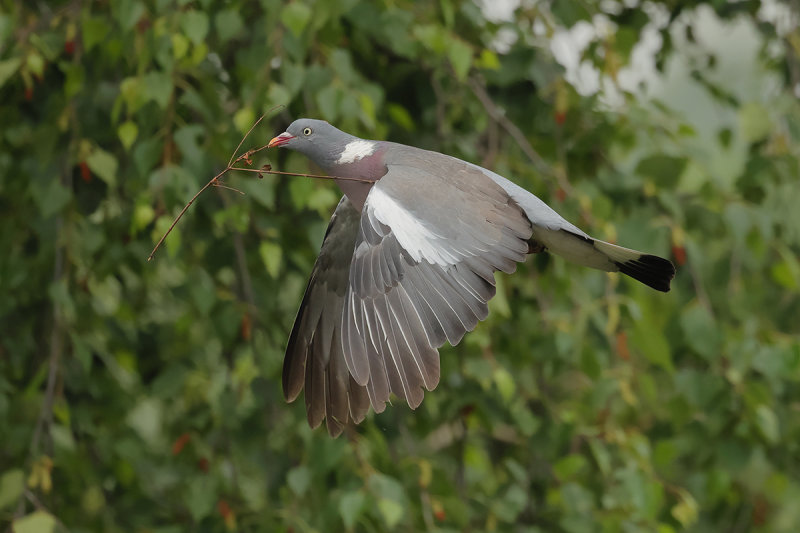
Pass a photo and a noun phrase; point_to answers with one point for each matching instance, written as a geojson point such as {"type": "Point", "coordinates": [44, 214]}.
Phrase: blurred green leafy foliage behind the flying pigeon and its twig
{"type": "Point", "coordinates": [145, 396]}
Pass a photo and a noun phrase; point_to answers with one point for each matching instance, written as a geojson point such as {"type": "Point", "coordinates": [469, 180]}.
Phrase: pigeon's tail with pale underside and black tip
{"type": "Point", "coordinates": [653, 271]}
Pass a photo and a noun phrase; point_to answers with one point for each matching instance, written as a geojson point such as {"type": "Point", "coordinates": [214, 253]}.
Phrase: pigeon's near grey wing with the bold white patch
{"type": "Point", "coordinates": [432, 234]}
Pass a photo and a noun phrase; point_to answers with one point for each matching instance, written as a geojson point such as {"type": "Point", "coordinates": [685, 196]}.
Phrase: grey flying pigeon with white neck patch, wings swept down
{"type": "Point", "coordinates": [408, 263]}
